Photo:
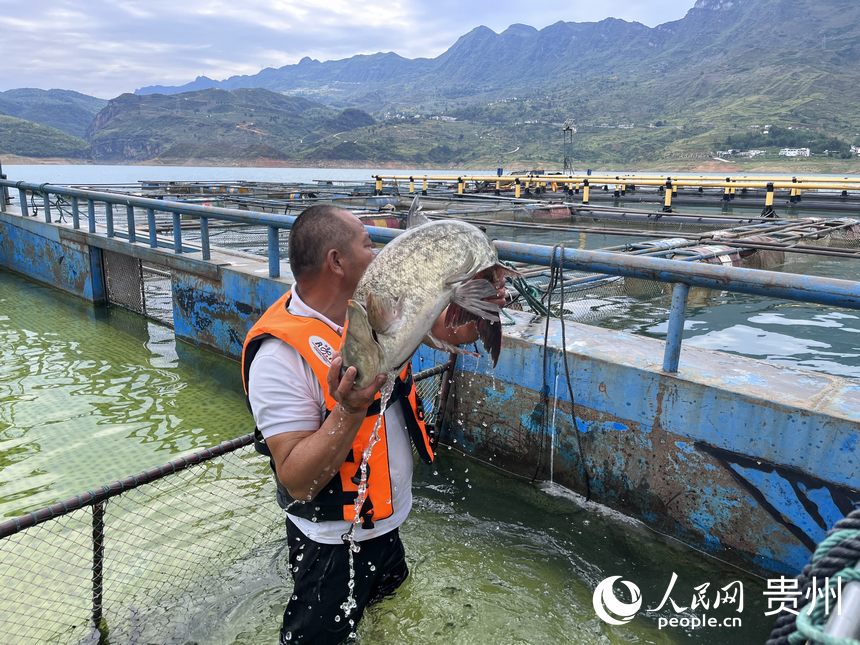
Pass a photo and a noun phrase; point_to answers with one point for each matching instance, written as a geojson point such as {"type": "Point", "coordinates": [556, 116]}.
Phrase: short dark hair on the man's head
{"type": "Point", "coordinates": [316, 231]}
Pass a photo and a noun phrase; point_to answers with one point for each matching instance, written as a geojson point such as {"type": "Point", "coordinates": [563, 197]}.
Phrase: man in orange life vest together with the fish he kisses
{"type": "Point", "coordinates": [316, 408]}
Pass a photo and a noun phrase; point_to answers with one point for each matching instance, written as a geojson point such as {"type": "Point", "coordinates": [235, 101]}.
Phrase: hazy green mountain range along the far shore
{"type": "Point", "coordinates": [632, 92]}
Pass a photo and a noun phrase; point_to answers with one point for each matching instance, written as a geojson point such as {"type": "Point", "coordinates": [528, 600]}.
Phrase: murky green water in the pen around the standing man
{"type": "Point", "coordinates": [91, 395]}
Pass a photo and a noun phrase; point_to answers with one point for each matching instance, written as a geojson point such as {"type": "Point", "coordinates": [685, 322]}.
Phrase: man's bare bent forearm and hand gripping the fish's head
{"type": "Point", "coordinates": [306, 461]}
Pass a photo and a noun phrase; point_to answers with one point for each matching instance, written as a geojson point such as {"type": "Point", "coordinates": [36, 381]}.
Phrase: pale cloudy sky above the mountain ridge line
{"type": "Point", "coordinates": [107, 47]}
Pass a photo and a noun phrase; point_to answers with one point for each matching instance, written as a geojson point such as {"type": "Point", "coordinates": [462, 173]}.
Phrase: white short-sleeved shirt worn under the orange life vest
{"type": "Point", "coordinates": [286, 396]}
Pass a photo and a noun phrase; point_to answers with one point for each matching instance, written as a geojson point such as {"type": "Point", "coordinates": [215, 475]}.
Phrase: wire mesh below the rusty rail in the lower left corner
{"type": "Point", "coordinates": [167, 544]}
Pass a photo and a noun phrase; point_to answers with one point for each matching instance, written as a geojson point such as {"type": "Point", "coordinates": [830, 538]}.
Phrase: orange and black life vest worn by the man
{"type": "Point", "coordinates": [315, 341]}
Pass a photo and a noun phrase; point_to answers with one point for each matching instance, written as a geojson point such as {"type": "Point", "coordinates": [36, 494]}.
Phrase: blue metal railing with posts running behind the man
{"type": "Point", "coordinates": [683, 275]}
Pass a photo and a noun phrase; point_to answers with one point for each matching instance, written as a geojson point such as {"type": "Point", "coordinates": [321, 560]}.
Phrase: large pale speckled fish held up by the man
{"type": "Point", "coordinates": [429, 267]}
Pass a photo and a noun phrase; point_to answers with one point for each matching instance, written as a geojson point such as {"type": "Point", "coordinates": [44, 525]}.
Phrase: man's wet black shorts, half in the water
{"type": "Point", "coordinates": [321, 576]}
